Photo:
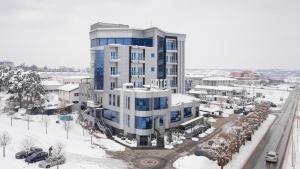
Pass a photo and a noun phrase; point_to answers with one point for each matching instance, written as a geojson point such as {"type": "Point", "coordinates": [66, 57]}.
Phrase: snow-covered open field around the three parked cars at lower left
{"type": "Point", "coordinates": [79, 152]}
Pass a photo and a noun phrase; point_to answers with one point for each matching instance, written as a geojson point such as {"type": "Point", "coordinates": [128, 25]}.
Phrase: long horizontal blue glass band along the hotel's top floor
{"type": "Point", "coordinates": [122, 41]}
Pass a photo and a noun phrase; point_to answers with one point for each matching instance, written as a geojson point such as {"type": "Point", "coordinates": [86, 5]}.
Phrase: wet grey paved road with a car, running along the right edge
{"type": "Point", "coordinates": [277, 136]}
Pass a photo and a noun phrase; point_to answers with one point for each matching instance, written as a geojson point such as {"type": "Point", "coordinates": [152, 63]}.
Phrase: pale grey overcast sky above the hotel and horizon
{"type": "Point", "coordinates": [250, 34]}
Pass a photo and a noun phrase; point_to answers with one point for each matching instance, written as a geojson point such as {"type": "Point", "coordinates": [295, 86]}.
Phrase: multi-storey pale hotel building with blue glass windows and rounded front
{"type": "Point", "coordinates": [135, 75]}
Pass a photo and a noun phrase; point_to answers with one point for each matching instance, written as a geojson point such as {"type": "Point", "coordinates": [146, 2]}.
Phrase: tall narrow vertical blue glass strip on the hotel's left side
{"type": "Point", "coordinates": [99, 69]}
